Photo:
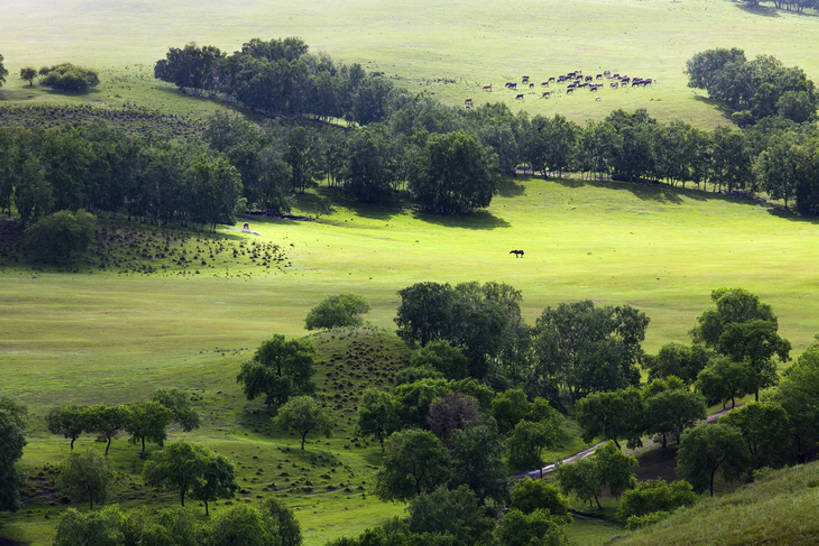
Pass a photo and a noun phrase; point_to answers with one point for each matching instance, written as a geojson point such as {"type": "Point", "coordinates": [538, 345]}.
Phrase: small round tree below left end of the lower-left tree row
{"type": "Point", "coordinates": [85, 476]}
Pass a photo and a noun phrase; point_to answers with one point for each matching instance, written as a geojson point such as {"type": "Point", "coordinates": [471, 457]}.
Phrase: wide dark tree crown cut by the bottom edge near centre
{"type": "Point", "coordinates": [453, 512]}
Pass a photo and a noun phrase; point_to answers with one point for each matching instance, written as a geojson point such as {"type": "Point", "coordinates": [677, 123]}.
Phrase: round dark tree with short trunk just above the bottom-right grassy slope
{"type": "Point", "coordinates": [705, 449]}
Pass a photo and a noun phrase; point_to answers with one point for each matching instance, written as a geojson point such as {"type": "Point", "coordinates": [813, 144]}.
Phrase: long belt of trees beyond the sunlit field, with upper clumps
{"type": "Point", "coordinates": [448, 159]}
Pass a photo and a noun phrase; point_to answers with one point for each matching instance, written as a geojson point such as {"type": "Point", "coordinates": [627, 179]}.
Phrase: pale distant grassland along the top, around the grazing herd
{"type": "Point", "coordinates": [450, 49]}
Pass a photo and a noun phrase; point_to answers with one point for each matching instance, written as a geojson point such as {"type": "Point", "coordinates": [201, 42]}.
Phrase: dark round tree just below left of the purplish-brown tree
{"type": "Point", "coordinates": [414, 462]}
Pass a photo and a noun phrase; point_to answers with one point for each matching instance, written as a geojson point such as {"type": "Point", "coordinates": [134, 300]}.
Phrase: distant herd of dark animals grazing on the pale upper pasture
{"type": "Point", "coordinates": [573, 81]}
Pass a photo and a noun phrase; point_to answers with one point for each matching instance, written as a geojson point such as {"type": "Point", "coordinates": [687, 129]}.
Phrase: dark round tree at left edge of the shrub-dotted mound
{"type": "Point", "coordinates": [279, 369]}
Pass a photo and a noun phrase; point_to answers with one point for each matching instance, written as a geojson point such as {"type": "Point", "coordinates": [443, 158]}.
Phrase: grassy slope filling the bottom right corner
{"type": "Point", "coordinates": [778, 509]}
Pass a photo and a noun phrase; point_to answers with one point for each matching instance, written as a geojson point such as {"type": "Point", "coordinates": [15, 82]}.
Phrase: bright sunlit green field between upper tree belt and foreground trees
{"type": "Point", "coordinates": [103, 336]}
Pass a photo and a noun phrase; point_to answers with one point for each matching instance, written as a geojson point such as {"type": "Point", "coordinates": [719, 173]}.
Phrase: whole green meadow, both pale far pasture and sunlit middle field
{"type": "Point", "coordinates": [114, 336]}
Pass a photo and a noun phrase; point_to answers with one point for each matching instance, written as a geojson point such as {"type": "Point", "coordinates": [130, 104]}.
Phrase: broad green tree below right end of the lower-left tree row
{"type": "Point", "coordinates": [188, 467]}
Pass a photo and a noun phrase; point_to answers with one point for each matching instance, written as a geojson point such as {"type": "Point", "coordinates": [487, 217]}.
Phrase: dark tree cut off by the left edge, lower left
{"type": "Point", "coordinates": [12, 441]}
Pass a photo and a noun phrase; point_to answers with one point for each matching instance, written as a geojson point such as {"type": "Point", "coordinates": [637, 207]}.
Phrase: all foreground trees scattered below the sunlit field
{"type": "Point", "coordinates": [482, 395]}
